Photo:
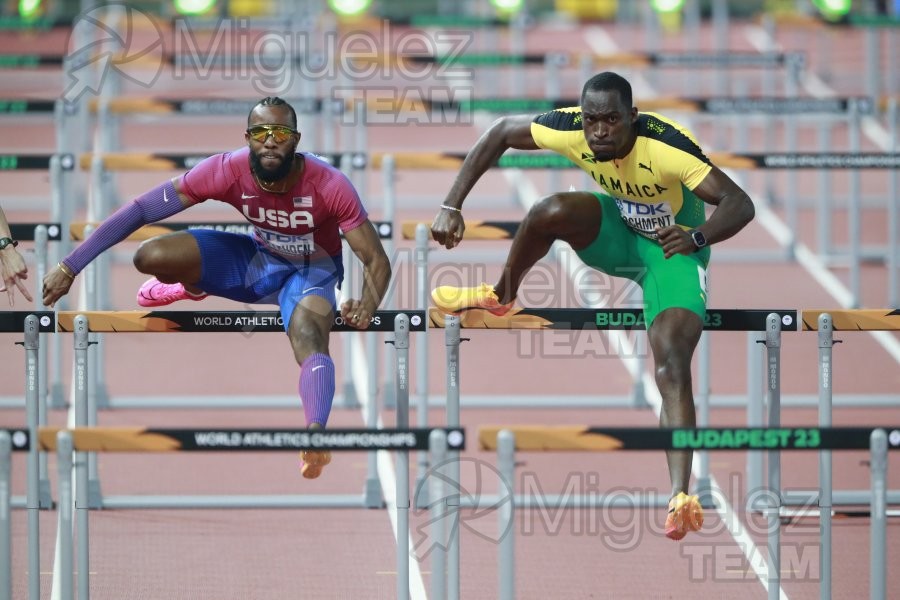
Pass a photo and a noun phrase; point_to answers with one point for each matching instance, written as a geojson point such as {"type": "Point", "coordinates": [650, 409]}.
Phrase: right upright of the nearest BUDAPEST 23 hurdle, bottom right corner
{"type": "Point", "coordinates": [878, 548]}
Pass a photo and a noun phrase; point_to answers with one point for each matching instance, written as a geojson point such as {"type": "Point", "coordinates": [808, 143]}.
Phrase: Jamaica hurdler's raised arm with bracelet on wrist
{"type": "Point", "coordinates": [507, 132]}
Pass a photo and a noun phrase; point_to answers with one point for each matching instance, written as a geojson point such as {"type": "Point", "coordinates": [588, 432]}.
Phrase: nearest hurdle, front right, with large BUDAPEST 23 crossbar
{"type": "Point", "coordinates": [507, 440]}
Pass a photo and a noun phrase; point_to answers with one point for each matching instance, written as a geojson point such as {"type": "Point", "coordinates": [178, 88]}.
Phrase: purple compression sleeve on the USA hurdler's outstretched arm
{"type": "Point", "coordinates": [157, 204]}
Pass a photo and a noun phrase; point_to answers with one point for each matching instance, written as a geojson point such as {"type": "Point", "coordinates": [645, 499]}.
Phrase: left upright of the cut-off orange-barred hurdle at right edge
{"type": "Point", "coordinates": [826, 341]}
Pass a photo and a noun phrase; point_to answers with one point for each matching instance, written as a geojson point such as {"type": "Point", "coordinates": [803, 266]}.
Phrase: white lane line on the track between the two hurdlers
{"type": "Point", "coordinates": [386, 474]}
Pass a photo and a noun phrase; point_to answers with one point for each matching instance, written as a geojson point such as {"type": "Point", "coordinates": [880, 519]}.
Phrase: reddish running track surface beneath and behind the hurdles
{"type": "Point", "coordinates": [349, 553]}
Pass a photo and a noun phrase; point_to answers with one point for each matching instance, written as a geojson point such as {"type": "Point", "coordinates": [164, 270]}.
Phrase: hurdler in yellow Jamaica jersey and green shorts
{"type": "Point", "coordinates": [649, 225]}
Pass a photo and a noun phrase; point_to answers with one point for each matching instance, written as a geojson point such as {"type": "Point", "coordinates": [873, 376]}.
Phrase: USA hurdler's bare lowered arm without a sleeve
{"type": "Point", "coordinates": [364, 242]}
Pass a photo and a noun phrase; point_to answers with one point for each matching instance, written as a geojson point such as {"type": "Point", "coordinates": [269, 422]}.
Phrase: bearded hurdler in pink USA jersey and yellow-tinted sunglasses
{"type": "Point", "coordinates": [298, 205]}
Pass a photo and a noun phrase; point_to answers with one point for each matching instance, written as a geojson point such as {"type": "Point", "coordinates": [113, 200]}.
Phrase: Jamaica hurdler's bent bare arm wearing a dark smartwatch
{"type": "Point", "coordinates": [734, 210]}
